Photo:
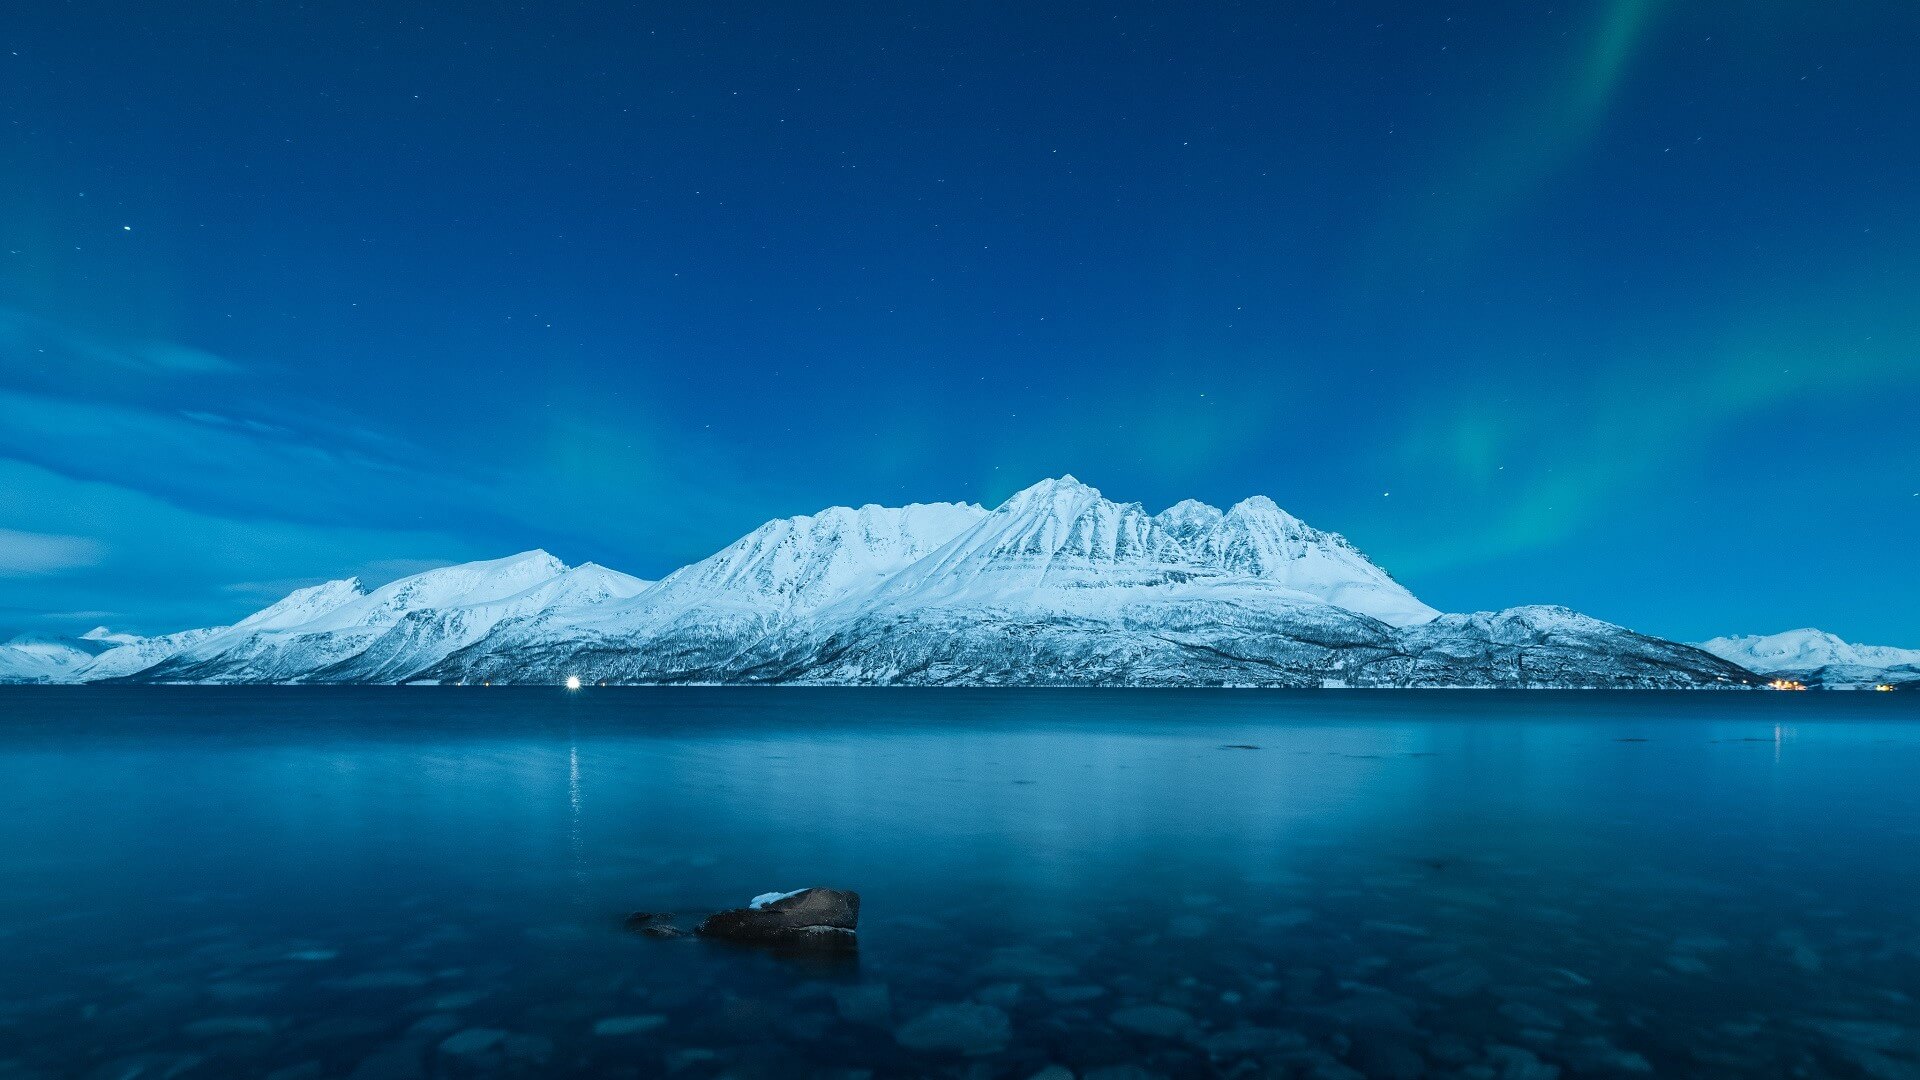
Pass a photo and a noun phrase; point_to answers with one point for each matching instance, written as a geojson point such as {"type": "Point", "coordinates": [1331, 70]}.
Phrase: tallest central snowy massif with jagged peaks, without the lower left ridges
{"type": "Point", "coordinates": [1065, 587]}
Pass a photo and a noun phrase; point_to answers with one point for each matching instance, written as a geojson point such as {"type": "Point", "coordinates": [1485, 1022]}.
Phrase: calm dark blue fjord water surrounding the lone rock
{"type": "Point", "coordinates": [431, 883]}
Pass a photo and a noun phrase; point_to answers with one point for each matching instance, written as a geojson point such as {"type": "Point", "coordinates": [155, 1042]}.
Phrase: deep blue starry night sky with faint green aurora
{"type": "Point", "coordinates": [1610, 305]}
